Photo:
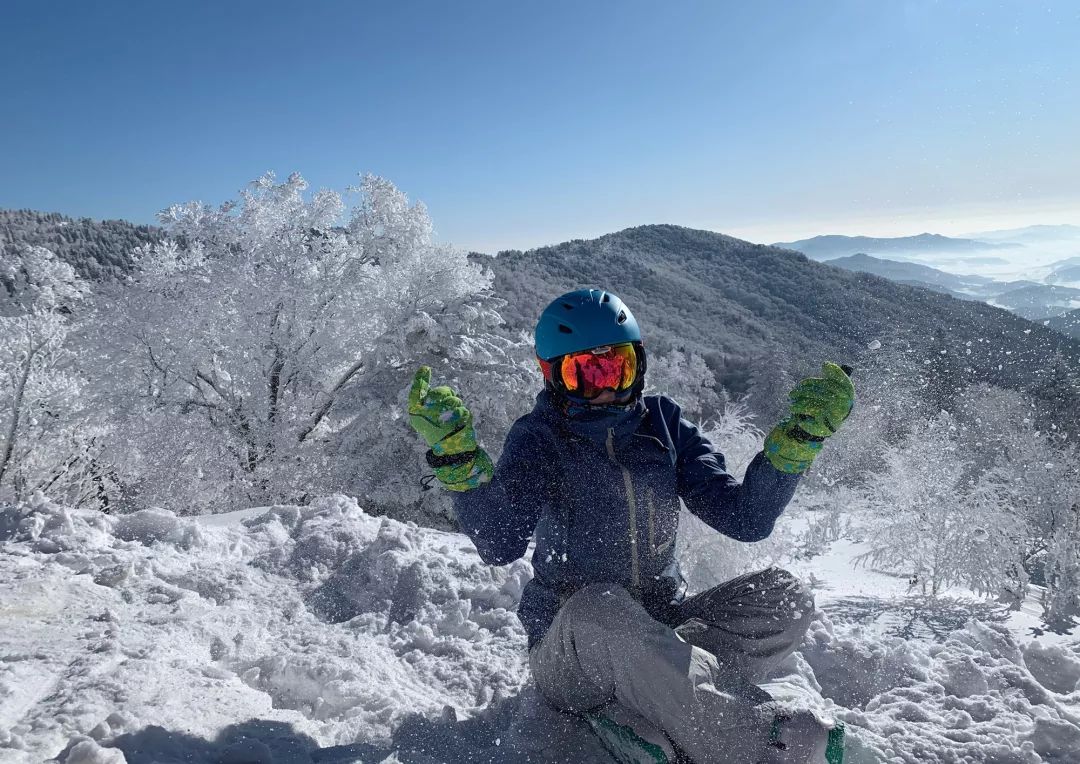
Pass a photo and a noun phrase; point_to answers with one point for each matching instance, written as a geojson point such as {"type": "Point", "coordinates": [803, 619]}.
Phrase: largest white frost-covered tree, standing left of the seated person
{"type": "Point", "coordinates": [256, 333]}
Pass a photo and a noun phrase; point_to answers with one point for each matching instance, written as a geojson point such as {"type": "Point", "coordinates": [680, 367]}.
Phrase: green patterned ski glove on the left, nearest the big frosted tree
{"type": "Point", "coordinates": [445, 424]}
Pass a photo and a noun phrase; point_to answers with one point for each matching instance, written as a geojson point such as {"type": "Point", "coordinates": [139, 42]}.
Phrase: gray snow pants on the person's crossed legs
{"type": "Point", "coordinates": [695, 681]}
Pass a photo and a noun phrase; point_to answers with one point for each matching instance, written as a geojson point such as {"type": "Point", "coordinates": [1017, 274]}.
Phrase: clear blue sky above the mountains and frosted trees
{"type": "Point", "coordinates": [524, 124]}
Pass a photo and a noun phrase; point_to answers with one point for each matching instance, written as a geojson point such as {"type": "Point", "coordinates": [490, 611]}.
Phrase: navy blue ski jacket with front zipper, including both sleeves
{"type": "Point", "coordinates": [602, 495]}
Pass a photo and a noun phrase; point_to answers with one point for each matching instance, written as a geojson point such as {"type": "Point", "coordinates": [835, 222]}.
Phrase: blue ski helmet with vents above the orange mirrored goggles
{"type": "Point", "coordinates": [582, 320]}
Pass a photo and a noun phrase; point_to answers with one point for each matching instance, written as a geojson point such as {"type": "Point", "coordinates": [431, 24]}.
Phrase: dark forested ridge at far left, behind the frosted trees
{"type": "Point", "coordinates": [96, 249]}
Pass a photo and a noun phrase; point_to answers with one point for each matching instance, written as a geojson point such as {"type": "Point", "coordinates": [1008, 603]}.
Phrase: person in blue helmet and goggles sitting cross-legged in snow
{"type": "Point", "coordinates": [597, 472]}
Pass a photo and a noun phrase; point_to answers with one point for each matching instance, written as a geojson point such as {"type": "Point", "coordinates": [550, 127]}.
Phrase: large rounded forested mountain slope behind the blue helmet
{"type": "Point", "coordinates": [740, 303]}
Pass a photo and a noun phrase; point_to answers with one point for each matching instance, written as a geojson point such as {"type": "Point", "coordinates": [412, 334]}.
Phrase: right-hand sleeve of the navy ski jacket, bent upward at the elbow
{"type": "Point", "coordinates": [746, 512]}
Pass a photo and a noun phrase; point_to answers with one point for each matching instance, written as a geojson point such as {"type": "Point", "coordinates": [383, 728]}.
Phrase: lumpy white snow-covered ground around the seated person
{"type": "Point", "coordinates": [326, 635]}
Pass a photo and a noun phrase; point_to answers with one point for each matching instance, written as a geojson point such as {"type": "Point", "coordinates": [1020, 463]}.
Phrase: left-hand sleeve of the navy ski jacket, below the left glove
{"type": "Point", "coordinates": [502, 515]}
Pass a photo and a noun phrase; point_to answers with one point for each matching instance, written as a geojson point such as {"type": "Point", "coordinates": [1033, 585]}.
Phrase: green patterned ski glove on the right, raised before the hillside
{"type": "Point", "coordinates": [819, 406]}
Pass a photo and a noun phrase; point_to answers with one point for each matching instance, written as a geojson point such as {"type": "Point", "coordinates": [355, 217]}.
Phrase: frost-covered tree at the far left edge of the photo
{"type": "Point", "coordinates": [47, 444]}
